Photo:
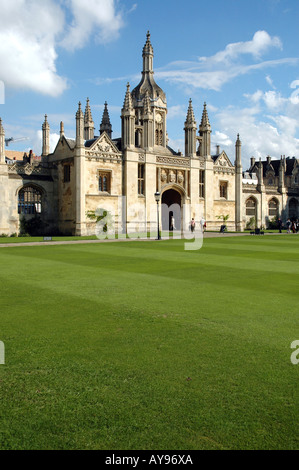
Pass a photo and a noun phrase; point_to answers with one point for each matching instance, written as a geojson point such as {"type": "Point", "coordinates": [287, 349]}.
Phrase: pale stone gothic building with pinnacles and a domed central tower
{"type": "Point", "coordinates": [122, 175]}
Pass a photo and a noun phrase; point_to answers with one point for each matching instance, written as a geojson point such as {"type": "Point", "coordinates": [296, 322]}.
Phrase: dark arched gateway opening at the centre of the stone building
{"type": "Point", "coordinates": [171, 208]}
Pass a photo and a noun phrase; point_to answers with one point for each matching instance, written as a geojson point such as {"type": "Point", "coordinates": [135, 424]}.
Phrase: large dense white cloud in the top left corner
{"type": "Point", "coordinates": [27, 45]}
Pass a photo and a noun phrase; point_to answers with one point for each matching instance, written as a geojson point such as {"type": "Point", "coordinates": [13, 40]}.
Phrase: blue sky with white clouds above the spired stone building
{"type": "Point", "coordinates": [241, 57]}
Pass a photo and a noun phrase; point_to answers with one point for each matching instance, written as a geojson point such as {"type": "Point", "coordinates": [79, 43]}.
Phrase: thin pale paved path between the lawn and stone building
{"type": "Point", "coordinates": [77, 242]}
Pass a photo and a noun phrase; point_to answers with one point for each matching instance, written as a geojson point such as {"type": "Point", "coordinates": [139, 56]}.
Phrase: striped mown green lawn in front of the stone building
{"type": "Point", "coordinates": [142, 345]}
